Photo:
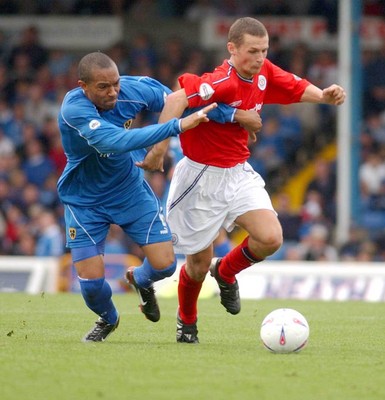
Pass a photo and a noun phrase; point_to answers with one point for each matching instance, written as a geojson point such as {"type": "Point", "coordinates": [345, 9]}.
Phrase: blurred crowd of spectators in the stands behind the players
{"type": "Point", "coordinates": [34, 79]}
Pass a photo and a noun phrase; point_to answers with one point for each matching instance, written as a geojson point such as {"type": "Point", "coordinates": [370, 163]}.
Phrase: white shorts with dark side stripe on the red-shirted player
{"type": "Point", "coordinates": [202, 199]}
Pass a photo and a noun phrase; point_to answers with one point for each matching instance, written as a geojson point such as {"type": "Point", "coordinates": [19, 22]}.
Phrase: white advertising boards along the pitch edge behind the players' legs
{"type": "Point", "coordinates": [270, 279]}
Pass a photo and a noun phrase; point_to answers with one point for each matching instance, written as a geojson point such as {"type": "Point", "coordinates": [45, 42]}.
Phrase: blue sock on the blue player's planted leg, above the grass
{"type": "Point", "coordinates": [97, 294]}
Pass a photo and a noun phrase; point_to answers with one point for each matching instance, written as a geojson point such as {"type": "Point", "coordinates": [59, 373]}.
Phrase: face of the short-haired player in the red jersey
{"type": "Point", "coordinates": [249, 57]}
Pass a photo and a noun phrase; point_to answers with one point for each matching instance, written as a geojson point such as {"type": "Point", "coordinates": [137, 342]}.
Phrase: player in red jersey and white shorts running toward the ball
{"type": "Point", "coordinates": [213, 186]}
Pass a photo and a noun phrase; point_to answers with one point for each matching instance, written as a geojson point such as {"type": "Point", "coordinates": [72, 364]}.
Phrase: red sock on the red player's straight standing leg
{"type": "Point", "coordinates": [188, 293]}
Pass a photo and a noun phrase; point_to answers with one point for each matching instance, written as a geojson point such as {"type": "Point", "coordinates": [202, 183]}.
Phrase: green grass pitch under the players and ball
{"type": "Point", "coordinates": [42, 357]}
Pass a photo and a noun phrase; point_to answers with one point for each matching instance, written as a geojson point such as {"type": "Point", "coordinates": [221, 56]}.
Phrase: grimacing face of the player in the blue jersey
{"type": "Point", "coordinates": [103, 88]}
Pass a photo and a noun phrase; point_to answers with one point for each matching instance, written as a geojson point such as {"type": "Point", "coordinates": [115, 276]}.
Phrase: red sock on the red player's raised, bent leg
{"type": "Point", "coordinates": [237, 260]}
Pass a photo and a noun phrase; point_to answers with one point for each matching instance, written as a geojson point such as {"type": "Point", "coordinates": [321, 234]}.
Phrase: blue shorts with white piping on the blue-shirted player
{"type": "Point", "coordinates": [143, 221]}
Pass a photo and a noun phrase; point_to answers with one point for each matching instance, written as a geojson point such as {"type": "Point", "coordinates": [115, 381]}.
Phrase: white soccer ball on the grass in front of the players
{"type": "Point", "coordinates": [284, 331]}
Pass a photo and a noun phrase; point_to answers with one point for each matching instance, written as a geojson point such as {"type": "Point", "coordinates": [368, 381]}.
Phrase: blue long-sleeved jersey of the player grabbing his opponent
{"type": "Point", "coordinates": [100, 146]}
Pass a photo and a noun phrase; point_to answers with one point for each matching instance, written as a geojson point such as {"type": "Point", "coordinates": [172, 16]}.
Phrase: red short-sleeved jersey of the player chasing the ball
{"type": "Point", "coordinates": [225, 145]}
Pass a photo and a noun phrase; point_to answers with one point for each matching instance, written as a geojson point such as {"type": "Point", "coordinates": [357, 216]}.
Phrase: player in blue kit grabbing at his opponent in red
{"type": "Point", "coordinates": [103, 183]}
